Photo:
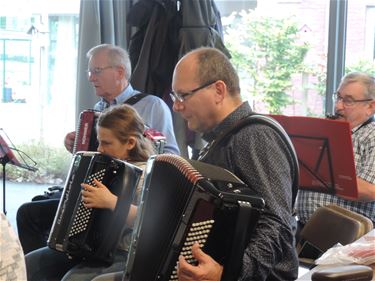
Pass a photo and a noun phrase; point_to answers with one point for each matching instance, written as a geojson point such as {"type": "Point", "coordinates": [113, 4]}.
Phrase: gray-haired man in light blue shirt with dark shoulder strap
{"type": "Point", "coordinates": [109, 72]}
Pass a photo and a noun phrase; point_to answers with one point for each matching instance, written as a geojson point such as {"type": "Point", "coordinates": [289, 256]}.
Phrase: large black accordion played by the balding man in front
{"type": "Point", "coordinates": [183, 202]}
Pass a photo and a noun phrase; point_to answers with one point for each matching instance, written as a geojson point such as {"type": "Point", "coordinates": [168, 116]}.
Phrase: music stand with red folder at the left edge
{"type": "Point", "coordinates": [7, 156]}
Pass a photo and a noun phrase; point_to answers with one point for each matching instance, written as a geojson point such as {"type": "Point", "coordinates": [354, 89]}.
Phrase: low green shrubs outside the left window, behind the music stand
{"type": "Point", "coordinates": [52, 163]}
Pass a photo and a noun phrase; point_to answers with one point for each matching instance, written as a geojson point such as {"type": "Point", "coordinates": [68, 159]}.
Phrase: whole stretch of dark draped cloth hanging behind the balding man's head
{"type": "Point", "coordinates": [166, 30]}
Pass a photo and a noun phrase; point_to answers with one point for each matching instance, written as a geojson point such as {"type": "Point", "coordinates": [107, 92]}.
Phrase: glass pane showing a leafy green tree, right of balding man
{"type": "Point", "coordinates": [280, 50]}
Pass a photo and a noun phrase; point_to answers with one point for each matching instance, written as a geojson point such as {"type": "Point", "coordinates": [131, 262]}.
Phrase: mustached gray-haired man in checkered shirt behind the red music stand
{"type": "Point", "coordinates": [354, 103]}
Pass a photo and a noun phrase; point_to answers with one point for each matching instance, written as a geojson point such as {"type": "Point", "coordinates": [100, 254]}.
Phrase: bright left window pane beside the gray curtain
{"type": "Point", "coordinates": [38, 61]}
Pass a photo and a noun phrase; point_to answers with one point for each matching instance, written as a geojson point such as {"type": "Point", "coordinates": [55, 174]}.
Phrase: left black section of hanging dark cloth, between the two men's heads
{"type": "Point", "coordinates": [153, 49]}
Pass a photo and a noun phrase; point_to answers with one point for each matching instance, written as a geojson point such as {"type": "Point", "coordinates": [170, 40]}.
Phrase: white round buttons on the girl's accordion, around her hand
{"type": "Point", "coordinates": [83, 214]}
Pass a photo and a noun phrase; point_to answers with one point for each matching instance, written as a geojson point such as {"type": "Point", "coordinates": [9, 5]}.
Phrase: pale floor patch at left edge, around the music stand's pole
{"type": "Point", "coordinates": [15, 195]}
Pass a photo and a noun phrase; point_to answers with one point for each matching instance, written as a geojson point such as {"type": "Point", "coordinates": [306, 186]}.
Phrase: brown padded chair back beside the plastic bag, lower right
{"type": "Point", "coordinates": [328, 226]}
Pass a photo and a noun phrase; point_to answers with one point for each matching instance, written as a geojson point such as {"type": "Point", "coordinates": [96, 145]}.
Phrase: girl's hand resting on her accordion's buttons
{"type": "Point", "coordinates": [98, 196]}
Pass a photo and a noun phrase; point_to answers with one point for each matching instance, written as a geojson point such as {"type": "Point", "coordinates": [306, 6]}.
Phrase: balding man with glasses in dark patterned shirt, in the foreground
{"type": "Point", "coordinates": [206, 92]}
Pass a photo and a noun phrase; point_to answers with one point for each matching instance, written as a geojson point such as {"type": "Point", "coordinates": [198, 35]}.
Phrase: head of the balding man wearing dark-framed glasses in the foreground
{"type": "Point", "coordinates": [205, 88]}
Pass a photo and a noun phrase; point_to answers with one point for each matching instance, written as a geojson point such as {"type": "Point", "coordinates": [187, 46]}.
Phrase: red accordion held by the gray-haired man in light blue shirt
{"type": "Point", "coordinates": [86, 137]}
